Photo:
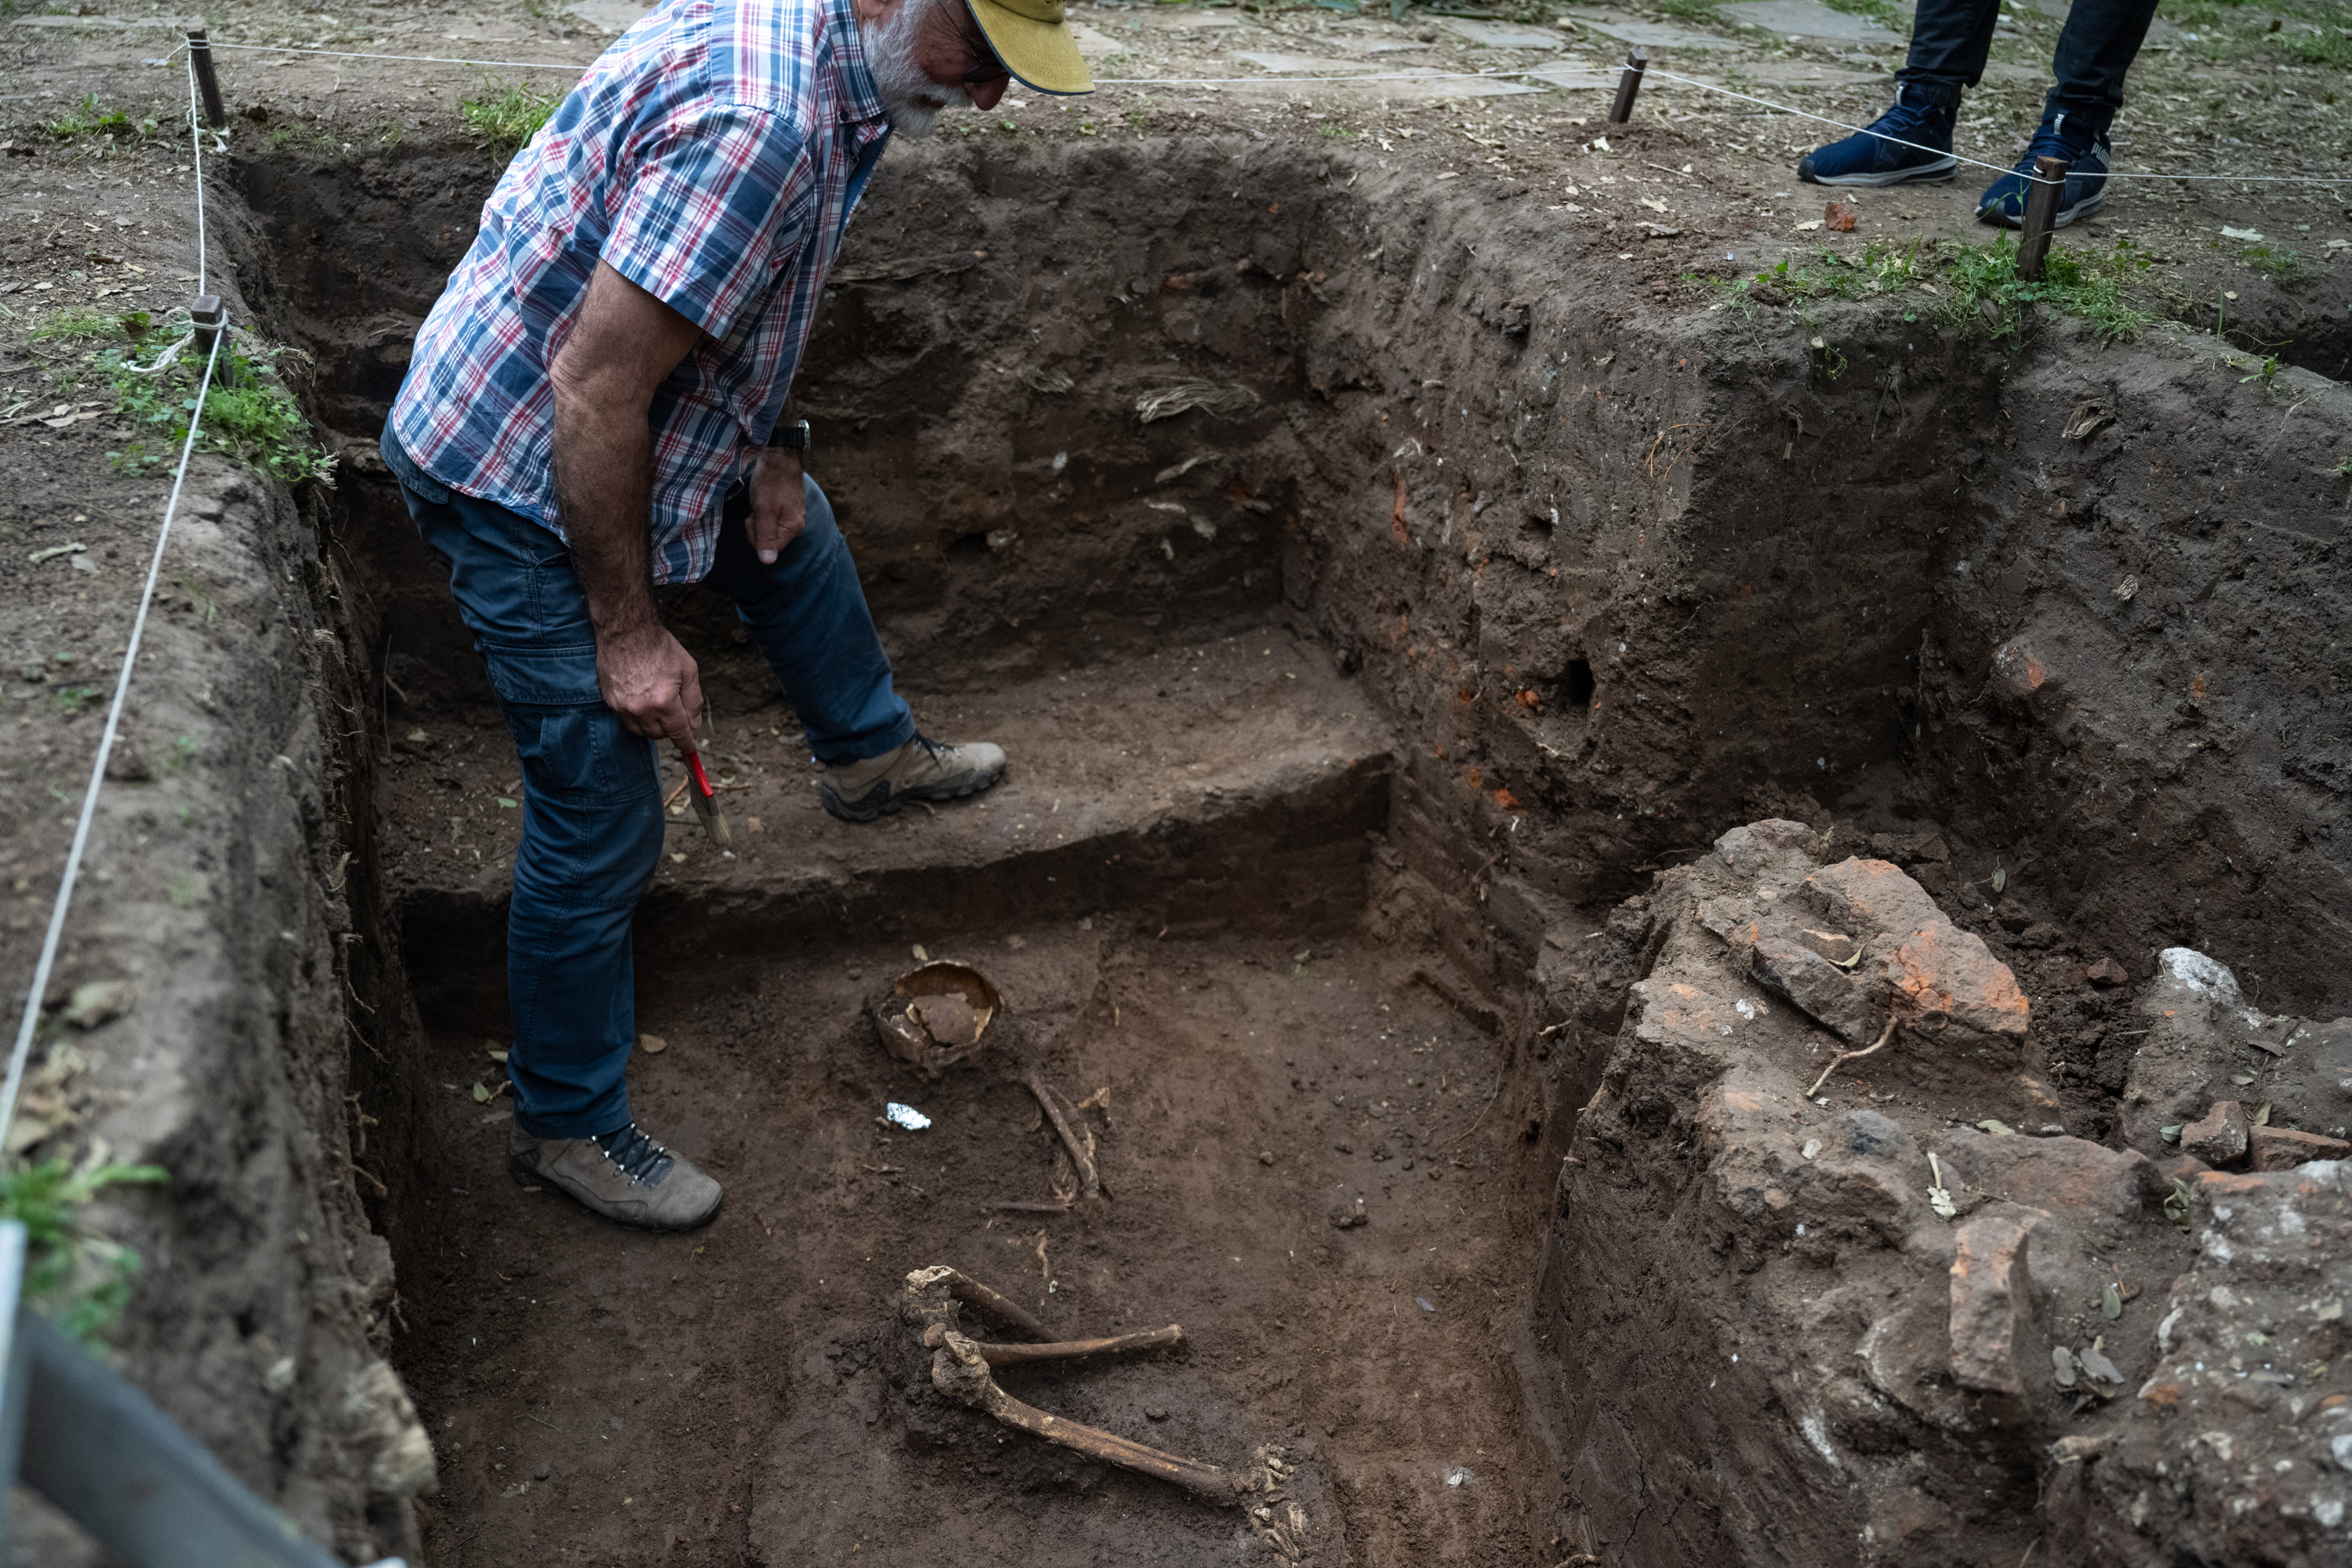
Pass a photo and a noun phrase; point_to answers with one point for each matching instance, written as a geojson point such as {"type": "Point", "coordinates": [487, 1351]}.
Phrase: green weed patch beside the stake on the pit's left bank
{"type": "Point", "coordinates": [250, 415]}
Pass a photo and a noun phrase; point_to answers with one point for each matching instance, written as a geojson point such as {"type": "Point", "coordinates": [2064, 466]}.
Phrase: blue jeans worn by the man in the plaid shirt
{"type": "Point", "coordinates": [592, 791]}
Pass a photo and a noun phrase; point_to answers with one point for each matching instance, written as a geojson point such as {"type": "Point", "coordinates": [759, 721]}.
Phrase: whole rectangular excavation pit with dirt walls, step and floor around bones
{"type": "Point", "coordinates": [1361, 709]}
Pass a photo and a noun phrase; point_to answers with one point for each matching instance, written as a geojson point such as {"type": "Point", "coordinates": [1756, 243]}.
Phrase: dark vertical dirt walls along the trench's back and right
{"type": "Point", "coordinates": [1619, 577]}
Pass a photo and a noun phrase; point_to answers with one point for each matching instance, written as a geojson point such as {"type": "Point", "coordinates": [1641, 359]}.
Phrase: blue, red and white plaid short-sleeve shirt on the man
{"type": "Point", "coordinates": [711, 156]}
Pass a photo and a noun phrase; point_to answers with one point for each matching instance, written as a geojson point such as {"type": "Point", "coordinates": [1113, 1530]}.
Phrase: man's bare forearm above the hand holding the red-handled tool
{"type": "Point", "coordinates": [603, 492]}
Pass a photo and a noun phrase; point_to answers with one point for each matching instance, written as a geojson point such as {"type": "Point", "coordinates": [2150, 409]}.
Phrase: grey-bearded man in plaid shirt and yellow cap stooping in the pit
{"type": "Point", "coordinates": [594, 408]}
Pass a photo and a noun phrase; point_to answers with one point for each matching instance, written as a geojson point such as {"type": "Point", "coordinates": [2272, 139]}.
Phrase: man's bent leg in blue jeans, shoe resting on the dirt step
{"type": "Point", "coordinates": [810, 622]}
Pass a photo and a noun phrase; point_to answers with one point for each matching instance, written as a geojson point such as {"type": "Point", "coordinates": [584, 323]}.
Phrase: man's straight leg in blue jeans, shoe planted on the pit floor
{"type": "Point", "coordinates": [592, 840]}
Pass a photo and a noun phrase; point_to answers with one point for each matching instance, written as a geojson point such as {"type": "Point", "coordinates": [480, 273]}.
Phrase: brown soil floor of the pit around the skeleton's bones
{"type": "Point", "coordinates": [749, 1395]}
